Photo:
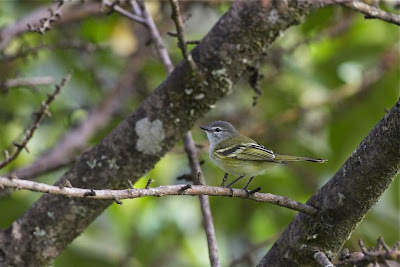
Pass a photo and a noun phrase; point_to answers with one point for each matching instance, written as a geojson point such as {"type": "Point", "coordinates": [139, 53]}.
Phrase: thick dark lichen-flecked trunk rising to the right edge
{"type": "Point", "coordinates": [344, 200]}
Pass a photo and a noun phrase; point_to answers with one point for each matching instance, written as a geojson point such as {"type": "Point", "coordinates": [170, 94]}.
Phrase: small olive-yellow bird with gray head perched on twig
{"type": "Point", "coordinates": [240, 155]}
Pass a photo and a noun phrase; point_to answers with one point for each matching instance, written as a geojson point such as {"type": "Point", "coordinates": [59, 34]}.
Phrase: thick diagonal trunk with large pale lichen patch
{"type": "Point", "coordinates": [237, 41]}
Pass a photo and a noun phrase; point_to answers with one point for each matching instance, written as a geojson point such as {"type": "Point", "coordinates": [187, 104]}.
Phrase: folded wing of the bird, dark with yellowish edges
{"type": "Point", "coordinates": [246, 151]}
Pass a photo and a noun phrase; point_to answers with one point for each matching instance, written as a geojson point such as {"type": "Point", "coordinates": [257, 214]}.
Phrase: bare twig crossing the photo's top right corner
{"type": "Point", "coordinates": [370, 12]}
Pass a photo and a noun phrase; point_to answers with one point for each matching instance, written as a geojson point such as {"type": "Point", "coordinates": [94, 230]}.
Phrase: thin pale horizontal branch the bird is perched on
{"type": "Point", "coordinates": [160, 191]}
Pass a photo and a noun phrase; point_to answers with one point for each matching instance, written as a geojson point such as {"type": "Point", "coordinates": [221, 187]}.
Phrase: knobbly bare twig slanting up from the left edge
{"type": "Point", "coordinates": [44, 110]}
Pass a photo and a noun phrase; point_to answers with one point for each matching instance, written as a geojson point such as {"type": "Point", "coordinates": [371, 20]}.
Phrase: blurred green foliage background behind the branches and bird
{"type": "Point", "coordinates": [326, 83]}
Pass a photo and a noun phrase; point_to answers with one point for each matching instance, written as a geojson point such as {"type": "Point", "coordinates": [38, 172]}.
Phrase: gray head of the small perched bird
{"type": "Point", "coordinates": [218, 131]}
